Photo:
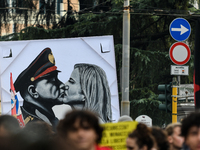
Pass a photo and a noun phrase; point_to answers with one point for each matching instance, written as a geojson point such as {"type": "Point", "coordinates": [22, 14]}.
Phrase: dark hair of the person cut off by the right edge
{"type": "Point", "coordinates": [191, 120]}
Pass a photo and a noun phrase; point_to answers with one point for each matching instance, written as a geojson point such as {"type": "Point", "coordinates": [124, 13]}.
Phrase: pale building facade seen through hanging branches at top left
{"type": "Point", "coordinates": [20, 14]}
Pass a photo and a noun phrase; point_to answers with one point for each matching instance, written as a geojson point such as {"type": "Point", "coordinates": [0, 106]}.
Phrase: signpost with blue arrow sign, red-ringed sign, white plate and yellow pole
{"type": "Point", "coordinates": [179, 53]}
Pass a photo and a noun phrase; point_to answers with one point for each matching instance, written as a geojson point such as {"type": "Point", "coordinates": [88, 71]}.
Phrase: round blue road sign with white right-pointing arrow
{"type": "Point", "coordinates": [180, 29]}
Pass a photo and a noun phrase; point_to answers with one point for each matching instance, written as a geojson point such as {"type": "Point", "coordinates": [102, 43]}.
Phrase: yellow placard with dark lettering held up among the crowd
{"type": "Point", "coordinates": [115, 134]}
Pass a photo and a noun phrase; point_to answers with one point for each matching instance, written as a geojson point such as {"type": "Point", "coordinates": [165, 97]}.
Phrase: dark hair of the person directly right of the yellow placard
{"type": "Point", "coordinates": [143, 136]}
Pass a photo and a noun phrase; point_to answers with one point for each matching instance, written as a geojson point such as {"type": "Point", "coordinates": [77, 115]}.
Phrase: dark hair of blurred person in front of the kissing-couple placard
{"type": "Point", "coordinates": [84, 116]}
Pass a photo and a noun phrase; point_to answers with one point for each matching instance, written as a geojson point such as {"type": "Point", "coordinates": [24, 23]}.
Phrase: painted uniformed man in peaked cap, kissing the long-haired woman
{"type": "Point", "coordinates": [41, 89]}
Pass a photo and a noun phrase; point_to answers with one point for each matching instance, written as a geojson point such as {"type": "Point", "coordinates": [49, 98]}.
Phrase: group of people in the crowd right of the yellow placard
{"type": "Point", "coordinates": [176, 136]}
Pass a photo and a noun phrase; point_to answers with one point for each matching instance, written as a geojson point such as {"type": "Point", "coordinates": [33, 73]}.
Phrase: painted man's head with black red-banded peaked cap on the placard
{"type": "Point", "coordinates": [39, 81]}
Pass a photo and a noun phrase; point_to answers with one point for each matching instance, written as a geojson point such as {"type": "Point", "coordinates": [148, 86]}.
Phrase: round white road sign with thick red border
{"type": "Point", "coordinates": [179, 53]}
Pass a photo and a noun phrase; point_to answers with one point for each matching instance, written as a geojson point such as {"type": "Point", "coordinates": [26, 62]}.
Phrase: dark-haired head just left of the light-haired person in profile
{"type": "Point", "coordinates": [160, 137]}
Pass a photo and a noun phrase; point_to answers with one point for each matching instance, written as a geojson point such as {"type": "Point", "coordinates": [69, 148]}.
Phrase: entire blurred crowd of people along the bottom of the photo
{"type": "Point", "coordinates": [81, 130]}
